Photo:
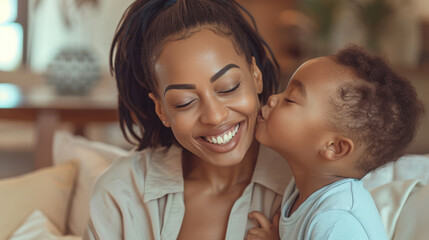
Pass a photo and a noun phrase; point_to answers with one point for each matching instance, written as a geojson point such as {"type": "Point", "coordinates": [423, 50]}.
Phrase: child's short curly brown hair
{"type": "Point", "coordinates": [378, 108]}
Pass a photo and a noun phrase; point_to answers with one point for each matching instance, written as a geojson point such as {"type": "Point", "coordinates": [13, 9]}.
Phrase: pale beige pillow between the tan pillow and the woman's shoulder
{"type": "Point", "coordinates": [93, 158]}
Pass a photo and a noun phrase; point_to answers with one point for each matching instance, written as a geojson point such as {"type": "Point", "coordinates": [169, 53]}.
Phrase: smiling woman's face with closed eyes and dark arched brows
{"type": "Point", "coordinates": [208, 95]}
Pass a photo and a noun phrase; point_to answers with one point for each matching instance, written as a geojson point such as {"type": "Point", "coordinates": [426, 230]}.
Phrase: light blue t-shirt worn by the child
{"type": "Point", "coordinates": [341, 210]}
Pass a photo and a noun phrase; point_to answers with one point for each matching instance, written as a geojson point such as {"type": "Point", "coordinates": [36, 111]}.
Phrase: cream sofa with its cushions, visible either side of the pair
{"type": "Point", "coordinates": [52, 203]}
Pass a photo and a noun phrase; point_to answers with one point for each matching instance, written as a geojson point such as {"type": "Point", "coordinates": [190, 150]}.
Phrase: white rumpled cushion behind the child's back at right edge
{"type": "Point", "coordinates": [399, 191]}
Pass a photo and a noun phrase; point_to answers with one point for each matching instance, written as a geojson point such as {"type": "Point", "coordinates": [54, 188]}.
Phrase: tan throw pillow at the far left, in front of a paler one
{"type": "Point", "coordinates": [48, 189]}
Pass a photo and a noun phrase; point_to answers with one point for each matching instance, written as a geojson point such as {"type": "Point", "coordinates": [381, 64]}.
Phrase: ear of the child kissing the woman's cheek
{"type": "Point", "coordinates": [338, 148]}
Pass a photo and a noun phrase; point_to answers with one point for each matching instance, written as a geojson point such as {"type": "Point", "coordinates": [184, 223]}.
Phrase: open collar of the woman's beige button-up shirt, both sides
{"type": "Point", "coordinates": [165, 175]}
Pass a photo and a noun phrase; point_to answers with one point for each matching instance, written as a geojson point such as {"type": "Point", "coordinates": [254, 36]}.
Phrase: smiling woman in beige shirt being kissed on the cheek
{"type": "Point", "coordinates": [191, 76]}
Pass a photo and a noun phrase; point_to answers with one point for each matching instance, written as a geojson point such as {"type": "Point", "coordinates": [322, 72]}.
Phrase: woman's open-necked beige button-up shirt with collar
{"type": "Point", "coordinates": [141, 196]}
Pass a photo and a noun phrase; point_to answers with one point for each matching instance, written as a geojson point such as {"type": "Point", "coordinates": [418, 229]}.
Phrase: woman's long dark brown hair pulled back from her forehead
{"type": "Point", "coordinates": [143, 30]}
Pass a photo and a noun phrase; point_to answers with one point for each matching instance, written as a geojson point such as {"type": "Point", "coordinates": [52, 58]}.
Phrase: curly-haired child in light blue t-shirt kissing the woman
{"type": "Point", "coordinates": [341, 117]}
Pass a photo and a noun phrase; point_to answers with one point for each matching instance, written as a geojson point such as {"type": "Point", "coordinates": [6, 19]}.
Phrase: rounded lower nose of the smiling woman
{"type": "Point", "coordinates": [214, 112]}
